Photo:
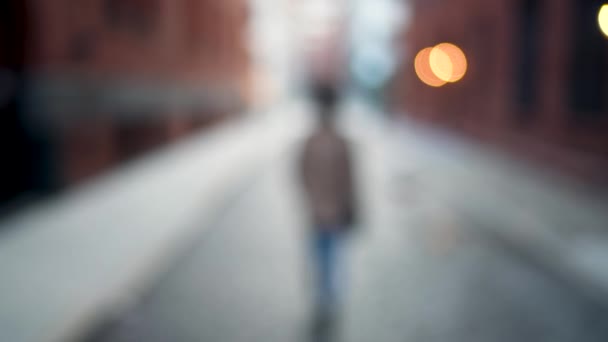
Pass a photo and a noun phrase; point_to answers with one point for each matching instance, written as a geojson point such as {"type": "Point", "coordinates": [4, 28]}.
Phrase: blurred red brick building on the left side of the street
{"type": "Point", "coordinates": [96, 82]}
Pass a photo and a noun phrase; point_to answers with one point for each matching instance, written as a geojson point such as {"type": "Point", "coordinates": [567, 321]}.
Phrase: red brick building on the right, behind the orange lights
{"type": "Point", "coordinates": [537, 79]}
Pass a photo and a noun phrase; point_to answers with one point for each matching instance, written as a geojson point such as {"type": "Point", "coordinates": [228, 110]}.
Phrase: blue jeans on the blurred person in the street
{"type": "Point", "coordinates": [327, 251]}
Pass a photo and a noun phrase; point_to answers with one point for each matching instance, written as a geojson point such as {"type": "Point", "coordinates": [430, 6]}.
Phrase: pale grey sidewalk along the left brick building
{"type": "Point", "coordinates": [72, 261]}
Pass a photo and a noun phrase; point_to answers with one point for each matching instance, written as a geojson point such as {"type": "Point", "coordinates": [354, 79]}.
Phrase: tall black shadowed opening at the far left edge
{"type": "Point", "coordinates": [25, 152]}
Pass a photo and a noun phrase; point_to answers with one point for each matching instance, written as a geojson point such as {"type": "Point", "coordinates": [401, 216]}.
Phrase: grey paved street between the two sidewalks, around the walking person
{"type": "Point", "coordinates": [418, 270]}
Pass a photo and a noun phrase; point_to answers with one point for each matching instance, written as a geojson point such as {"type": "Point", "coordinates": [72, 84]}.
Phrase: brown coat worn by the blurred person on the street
{"type": "Point", "coordinates": [327, 178]}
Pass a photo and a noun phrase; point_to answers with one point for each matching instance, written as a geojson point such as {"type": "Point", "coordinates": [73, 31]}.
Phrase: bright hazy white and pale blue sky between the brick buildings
{"type": "Point", "coordinates": [284, 31]}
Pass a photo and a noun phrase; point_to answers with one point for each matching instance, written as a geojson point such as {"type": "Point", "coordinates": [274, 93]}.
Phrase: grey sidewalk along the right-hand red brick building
{"type": "Point", "coordinates": [556, 221]}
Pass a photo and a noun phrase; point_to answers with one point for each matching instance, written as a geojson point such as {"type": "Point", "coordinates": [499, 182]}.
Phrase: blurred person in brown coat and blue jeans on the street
{"type": "Point", "coordinates": [327, 177]}
